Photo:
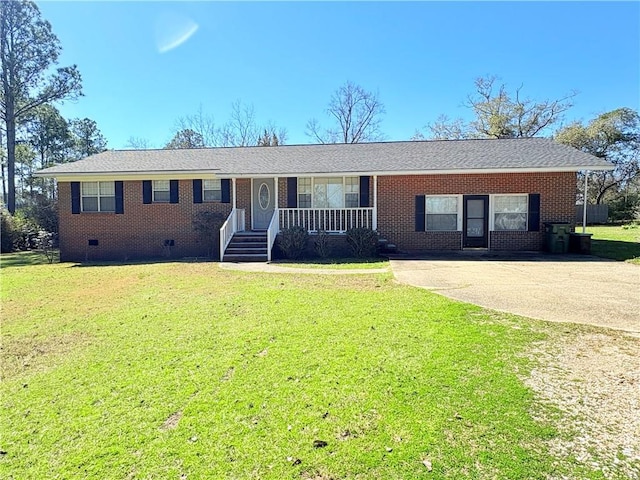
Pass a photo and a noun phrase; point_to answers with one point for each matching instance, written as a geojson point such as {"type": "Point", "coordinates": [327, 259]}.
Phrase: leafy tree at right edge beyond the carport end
{"type": "Point", "coordinates": [613, 136]}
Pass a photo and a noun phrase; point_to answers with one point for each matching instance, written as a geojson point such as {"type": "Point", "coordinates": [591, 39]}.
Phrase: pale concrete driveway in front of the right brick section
{"type": "Point", "coordinates": [563, 288]}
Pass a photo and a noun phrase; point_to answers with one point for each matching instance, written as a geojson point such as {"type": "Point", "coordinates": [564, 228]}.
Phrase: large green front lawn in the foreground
{"type": "Point", "coordinates": [184, 370]}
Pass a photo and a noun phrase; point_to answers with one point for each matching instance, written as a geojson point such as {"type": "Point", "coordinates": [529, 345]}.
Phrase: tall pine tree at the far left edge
{"type": "Point", "coordinates": [28, 48]}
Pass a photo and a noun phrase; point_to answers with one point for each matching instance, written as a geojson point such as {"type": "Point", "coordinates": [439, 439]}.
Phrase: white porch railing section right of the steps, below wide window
{"type": "Point", "coordinates": [334, 220]}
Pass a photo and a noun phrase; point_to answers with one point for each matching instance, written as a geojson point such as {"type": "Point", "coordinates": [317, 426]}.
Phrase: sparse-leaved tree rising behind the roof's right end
{"type": "Point", "coordinates": [501, 114]}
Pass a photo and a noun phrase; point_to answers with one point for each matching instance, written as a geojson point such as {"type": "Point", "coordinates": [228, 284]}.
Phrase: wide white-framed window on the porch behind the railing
{"type": "Point", "coordinates": [329, 192]}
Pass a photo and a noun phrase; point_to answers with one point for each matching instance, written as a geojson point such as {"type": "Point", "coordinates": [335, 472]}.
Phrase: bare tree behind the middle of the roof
{"type": "Point", "coordinates": [357, 115]}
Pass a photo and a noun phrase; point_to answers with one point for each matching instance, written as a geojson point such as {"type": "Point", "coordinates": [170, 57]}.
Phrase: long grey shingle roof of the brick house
{"type": "Point", "coordinates": [450, 156]}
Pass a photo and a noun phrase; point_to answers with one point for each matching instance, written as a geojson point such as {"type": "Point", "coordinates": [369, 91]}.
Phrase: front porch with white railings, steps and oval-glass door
{"type": "Point", "coordinates": [271, 204]}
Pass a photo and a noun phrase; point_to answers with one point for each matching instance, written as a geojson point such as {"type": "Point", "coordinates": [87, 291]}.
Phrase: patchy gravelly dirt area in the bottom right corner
{"type": "Point", "coordinates": [593, 378]}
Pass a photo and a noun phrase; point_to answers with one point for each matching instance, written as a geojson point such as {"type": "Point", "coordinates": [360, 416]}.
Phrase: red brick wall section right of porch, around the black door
{"type": "Point", "coordinates": [396, 206]}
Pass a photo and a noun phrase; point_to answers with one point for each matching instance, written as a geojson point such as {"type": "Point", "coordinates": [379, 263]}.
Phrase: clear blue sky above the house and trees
{"type": "Point", "coordinates": [287, 58]}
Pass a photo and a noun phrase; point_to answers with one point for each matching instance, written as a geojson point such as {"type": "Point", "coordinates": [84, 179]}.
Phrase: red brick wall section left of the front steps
{"type": "Point", "coordinates": [138, 233]}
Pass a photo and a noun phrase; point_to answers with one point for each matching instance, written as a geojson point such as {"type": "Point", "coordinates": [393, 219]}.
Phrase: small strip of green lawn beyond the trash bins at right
{"type": "Point", "coordinates": [615, 241]}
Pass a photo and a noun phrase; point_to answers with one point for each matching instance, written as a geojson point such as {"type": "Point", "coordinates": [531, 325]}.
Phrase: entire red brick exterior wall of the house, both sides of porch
{"type": "Point", "coordinates": [141, 231]}
